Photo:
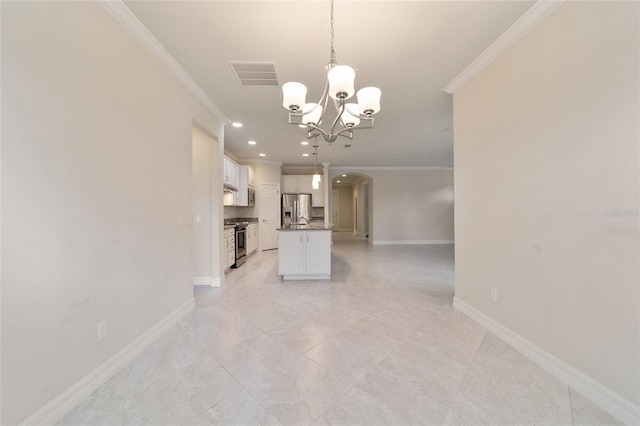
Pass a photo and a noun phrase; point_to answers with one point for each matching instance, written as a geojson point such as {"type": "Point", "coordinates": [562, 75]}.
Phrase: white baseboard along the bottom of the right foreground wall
{"type": "Point", "coordinates": [616, 405]}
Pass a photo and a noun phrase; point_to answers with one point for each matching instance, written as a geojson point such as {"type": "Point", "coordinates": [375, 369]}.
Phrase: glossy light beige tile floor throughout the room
{"type": "Point", "coordinates": [378, 344]}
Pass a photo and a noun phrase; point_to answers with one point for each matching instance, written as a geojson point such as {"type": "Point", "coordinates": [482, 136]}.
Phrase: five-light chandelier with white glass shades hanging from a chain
{"type": "Point", "coordinates": [339, 86]}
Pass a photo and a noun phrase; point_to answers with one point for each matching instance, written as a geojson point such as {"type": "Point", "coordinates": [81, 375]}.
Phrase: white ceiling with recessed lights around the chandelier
{"type": "Point", "coordinates": [409, 49]}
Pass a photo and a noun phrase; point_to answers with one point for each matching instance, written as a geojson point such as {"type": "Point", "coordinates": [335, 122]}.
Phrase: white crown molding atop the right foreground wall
{"type": "Point", "coordinates": [536, 13]}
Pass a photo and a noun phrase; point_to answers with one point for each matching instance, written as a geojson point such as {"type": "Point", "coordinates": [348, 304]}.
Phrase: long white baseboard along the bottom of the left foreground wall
{"type": "Point", "coordinates": [58, 407]}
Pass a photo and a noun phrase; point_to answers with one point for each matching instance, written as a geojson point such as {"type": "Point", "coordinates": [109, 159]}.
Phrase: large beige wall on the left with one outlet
{"type": "Point", "coordinates": [96, 188]}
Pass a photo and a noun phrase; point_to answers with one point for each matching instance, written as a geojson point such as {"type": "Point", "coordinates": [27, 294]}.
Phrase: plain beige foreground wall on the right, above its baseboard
{"type": "Point", "coordinates": [547, 190]}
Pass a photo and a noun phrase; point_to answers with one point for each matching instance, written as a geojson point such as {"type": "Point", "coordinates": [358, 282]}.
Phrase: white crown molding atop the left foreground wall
{"type": "Point", "coordinates": [132, 24]}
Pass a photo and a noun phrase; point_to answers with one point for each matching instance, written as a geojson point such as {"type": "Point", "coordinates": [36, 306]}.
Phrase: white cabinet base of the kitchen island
{"type": "Point", "coordinates": [304, 254]}
